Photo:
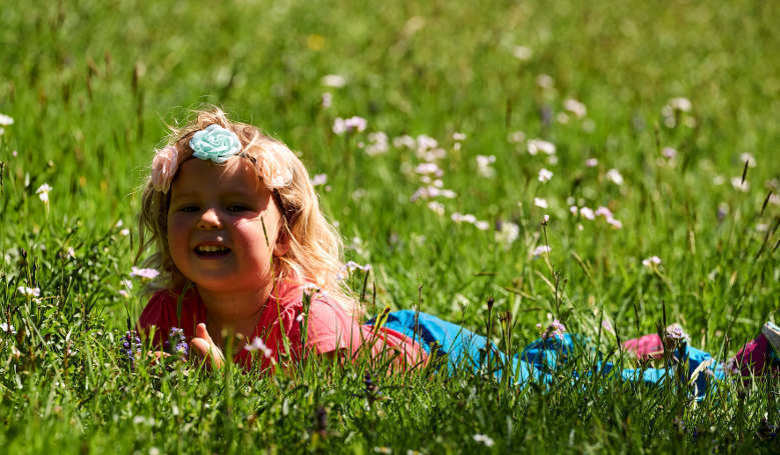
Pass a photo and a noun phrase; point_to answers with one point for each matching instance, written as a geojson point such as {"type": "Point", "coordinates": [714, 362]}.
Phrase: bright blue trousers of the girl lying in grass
{"type": "Point", "coordinates": [538, 360]}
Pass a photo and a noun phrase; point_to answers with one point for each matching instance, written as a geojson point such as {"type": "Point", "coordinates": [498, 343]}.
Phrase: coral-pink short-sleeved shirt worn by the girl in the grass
{"type": "Point", "coordinates": [330, 328]}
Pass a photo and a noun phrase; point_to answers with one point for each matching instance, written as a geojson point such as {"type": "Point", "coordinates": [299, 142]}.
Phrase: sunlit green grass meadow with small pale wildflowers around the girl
{"type": "Point", "coordinates": [612, 165]}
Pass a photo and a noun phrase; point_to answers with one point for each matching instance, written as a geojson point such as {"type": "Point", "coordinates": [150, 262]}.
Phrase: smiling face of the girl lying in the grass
{"type": "Point", "coordinates": [215, 226]}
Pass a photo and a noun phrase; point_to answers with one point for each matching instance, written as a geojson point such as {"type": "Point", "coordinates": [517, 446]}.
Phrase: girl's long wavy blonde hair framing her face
{"type": "Point", "coordinates": [315, 253]}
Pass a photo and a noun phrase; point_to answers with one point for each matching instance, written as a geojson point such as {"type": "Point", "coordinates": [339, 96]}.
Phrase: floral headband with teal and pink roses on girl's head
{"type": "Point", "coordinates": [211, 143]}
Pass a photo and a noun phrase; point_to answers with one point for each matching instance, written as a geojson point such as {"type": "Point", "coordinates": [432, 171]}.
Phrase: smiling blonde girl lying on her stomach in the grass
{"type": "Point", "coordinates": [246, 254]}
